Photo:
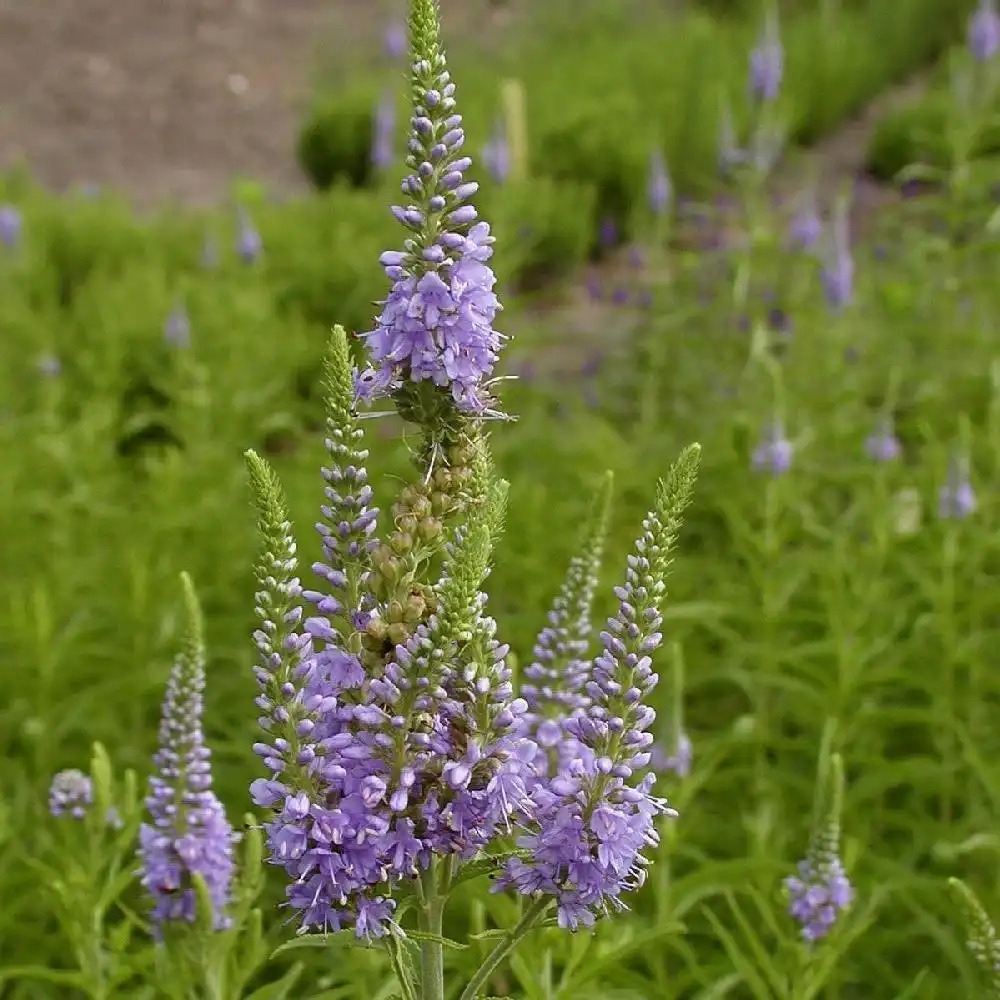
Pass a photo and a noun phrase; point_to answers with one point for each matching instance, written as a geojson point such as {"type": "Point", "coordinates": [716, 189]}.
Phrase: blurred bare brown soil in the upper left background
{"type": "Point", "coordinates": [169, 99]}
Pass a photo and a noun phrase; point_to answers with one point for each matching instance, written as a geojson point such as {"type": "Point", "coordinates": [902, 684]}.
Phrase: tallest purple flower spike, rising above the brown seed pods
{"type": "Point", "coordinates": [434, 346]}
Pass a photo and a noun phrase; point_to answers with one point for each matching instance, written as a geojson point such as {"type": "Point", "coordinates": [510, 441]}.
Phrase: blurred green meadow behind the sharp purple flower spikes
{"type": "Point", "coordinates": [836, 600]}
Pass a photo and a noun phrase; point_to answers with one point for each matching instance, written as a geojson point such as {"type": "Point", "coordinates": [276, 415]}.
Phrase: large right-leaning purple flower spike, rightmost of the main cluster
{"type": "Point", "coordinates": [593, 818]}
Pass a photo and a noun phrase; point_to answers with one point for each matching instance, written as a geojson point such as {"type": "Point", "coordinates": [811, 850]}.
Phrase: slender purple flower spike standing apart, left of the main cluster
{"type": "Point", "coordinates": [189, 834]}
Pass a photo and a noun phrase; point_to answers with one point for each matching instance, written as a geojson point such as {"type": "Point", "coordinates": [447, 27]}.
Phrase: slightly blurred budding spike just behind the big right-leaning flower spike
{"type": "Point", "coordinates": [554, 680]}
